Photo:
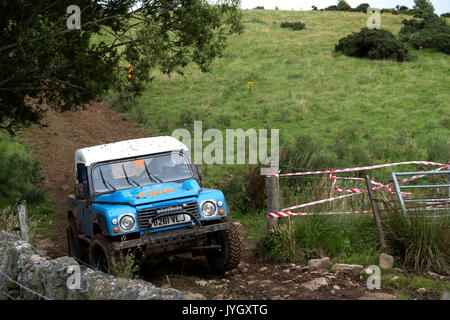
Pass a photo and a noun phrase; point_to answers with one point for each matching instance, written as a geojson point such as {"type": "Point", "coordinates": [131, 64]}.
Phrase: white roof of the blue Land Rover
{"type": "Point", "coordinates": [127, 148]}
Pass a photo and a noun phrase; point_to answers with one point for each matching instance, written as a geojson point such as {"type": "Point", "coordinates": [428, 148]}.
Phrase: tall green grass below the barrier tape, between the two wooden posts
{"type": "Point", "coordinates": [344, 239]}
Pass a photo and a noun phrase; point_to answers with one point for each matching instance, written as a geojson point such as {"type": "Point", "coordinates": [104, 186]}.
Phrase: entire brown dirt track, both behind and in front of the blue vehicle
{"type": "Point", "coordinates": [54, 146]}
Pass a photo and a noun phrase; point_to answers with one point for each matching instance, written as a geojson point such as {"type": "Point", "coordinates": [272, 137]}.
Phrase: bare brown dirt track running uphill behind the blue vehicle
{"type": "Point", "coordinates": [55, 145]}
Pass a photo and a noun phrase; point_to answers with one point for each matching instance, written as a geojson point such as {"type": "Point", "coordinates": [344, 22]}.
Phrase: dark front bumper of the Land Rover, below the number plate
{"type": "Point", "coordinates": [170, 239]}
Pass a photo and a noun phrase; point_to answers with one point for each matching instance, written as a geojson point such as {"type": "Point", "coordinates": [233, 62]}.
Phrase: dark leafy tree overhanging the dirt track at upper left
{"type": "Point", "coordinates": [46, 65]}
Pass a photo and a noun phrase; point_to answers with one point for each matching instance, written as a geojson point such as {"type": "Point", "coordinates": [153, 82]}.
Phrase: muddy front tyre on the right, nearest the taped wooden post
{"type": "Point", "coordinates": [229, 256]}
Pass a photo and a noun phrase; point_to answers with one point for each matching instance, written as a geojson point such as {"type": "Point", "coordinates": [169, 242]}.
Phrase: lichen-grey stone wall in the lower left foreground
{"type": "Point", "coordinates": [48, 278]}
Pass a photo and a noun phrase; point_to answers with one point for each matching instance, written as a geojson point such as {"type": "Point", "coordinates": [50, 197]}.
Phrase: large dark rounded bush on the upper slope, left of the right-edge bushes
{"type": "Point", "coordinates": [378, 44]}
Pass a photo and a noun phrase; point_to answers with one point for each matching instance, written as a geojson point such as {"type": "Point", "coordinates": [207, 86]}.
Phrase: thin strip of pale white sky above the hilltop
{"type": "Point", "coordinates": [440, 6]}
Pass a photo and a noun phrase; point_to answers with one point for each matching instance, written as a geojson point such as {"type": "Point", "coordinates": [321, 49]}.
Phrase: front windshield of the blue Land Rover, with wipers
{"type": "Point", "coordinates": [140, 172]}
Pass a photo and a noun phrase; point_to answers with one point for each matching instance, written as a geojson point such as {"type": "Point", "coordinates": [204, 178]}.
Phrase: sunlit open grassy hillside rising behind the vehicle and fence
{"type": "Point", "coordinates": [360, 111]}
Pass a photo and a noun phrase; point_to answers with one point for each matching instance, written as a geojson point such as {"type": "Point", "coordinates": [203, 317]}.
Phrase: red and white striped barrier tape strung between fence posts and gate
{"type": "Point", "coordinates": [351, 192]}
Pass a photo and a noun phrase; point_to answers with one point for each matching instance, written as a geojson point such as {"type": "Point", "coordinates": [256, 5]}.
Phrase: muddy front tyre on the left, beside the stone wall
{"type": "Point", "coordinates": [100, 253]}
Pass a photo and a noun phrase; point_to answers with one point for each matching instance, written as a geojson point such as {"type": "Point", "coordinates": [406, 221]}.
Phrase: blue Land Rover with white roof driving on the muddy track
{"type": "Point", "coordinates": [145, 196]}
